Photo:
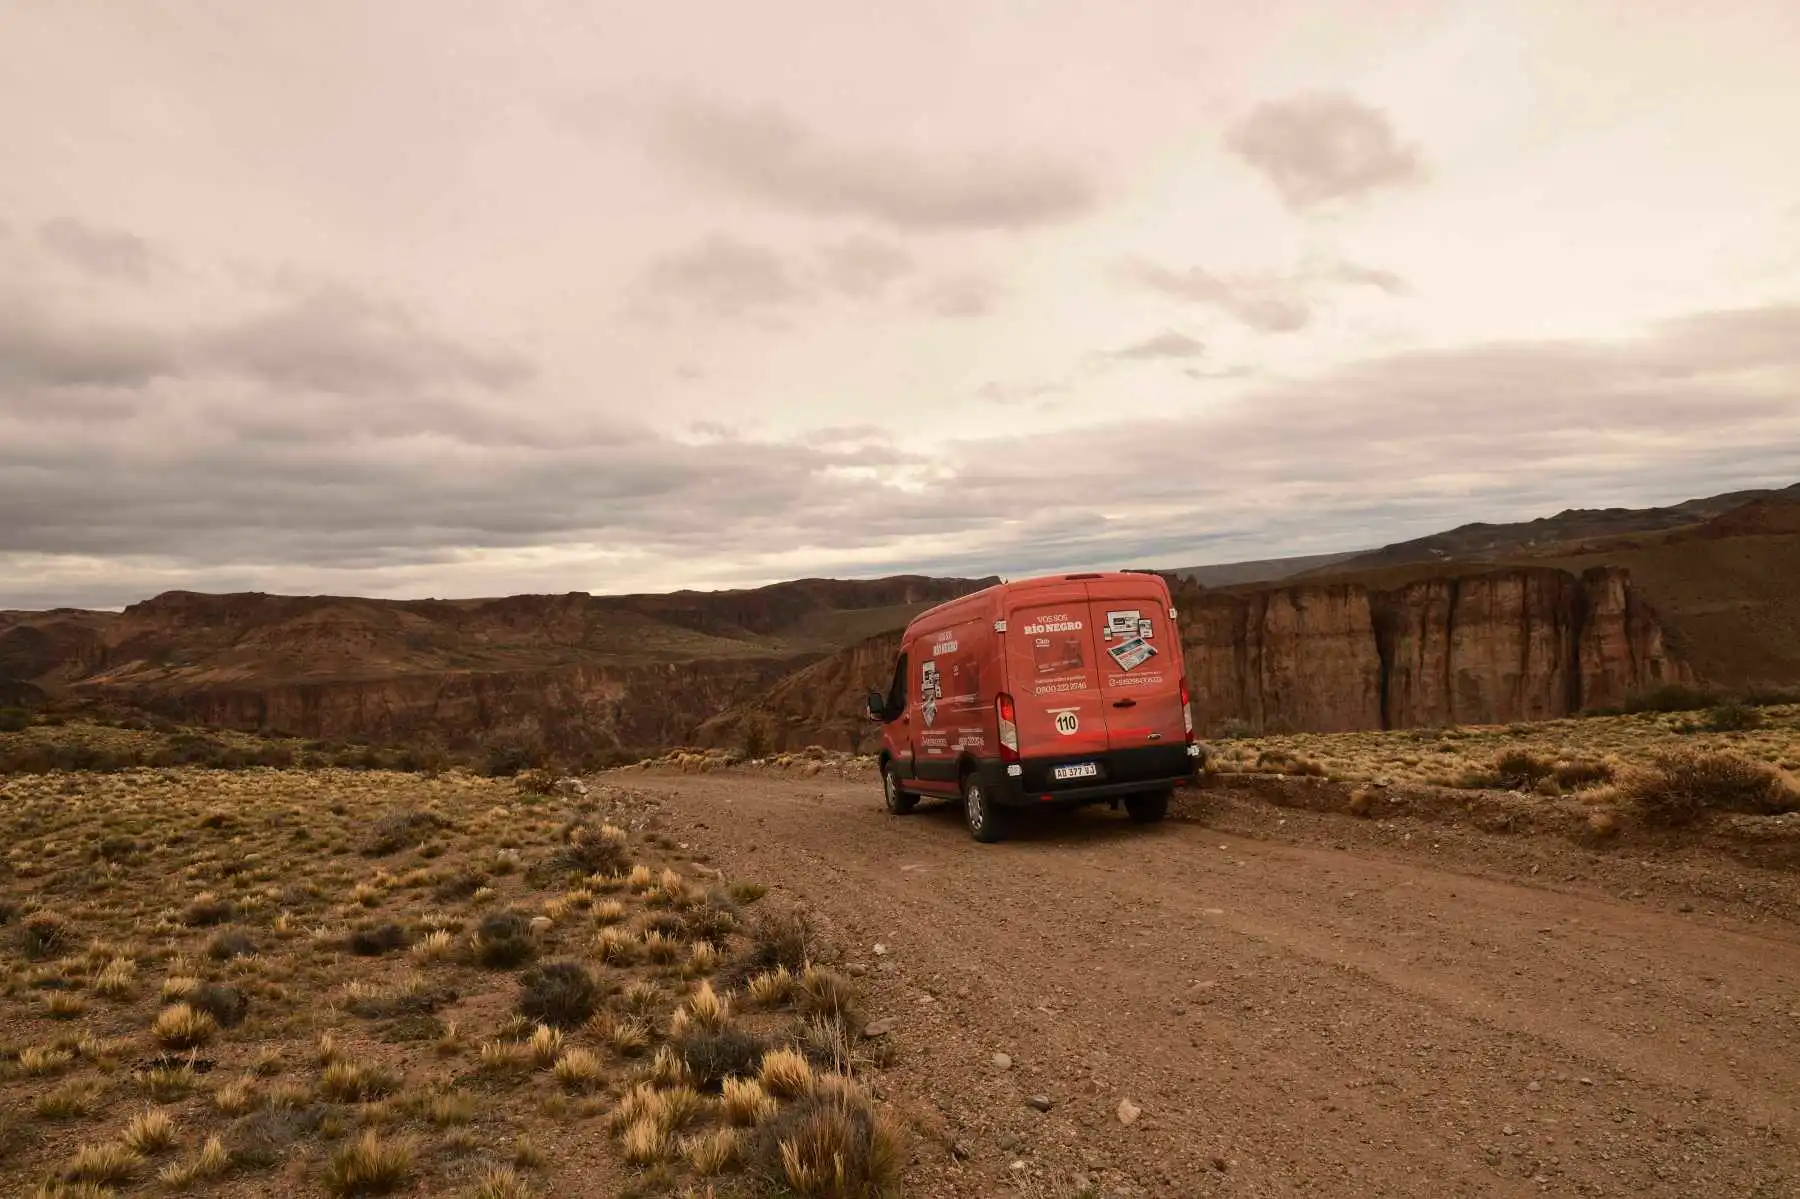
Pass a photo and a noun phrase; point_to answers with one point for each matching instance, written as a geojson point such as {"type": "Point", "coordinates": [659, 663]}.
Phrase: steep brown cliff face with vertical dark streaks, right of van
{"type": "Point", "coordinates": [1484, 649]}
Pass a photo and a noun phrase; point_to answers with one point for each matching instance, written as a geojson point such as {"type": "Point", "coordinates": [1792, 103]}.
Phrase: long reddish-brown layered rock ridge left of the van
{"type": "Point", "coordinates": [571, 672]}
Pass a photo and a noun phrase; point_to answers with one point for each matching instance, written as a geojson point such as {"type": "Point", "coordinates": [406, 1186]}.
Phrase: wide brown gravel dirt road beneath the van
{"type": "Point", "coordinates": [1286, 1018]}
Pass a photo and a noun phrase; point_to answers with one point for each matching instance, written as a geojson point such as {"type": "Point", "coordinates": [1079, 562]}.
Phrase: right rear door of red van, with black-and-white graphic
{"type": "Point", "coordinates": [1138, 663]}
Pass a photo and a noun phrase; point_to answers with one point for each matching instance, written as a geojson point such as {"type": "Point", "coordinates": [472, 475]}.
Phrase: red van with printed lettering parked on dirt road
{"type": "Point", "coordinates": [1059, 690]}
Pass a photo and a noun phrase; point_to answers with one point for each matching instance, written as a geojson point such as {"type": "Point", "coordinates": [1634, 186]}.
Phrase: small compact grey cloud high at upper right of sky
{"type": "Point", "coordinates": [1324, 147]}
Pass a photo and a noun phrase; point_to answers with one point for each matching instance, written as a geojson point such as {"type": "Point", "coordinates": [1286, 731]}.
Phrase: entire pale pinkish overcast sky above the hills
{"type": "Point", "coordinates": [462, 300]}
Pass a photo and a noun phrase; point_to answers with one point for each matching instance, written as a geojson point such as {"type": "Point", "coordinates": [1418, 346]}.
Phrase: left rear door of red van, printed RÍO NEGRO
{"type": "Point", "coordinates": [1054, 672]}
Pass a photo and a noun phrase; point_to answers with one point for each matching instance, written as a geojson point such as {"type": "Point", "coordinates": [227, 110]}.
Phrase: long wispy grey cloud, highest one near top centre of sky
{"type": "Point", "coordinates": [769, 158]}
